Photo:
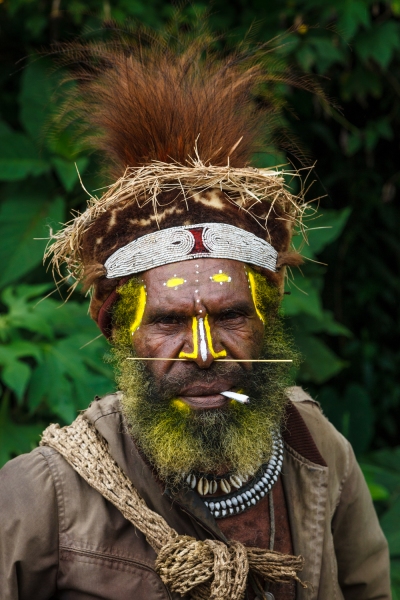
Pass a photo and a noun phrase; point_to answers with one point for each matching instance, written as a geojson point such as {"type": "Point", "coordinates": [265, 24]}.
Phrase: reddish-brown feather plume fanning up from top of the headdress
{"type": "Point", "coordinates": [140, 99]}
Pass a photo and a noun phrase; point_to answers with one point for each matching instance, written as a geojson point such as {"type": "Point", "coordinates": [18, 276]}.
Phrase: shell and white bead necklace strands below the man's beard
{"type": "Point", "coordinates": [244, 495]}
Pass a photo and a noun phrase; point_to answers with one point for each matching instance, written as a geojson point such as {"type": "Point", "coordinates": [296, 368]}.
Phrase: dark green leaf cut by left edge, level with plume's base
{"type": "Point", "coordinates": [19, 158]}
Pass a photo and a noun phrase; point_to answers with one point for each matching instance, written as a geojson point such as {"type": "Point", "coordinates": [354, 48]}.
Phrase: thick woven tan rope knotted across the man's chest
{"type": "Point", "coordinates": [207, 570]}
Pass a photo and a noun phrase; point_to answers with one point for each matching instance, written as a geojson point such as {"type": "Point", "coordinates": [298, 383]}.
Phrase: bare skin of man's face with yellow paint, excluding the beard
{"type": "Point", "coordinates": [202, 311]}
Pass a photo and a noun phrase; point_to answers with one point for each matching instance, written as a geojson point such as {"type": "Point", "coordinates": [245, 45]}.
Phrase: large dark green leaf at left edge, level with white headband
{"type": "Point", "coordinates": [22, 219]}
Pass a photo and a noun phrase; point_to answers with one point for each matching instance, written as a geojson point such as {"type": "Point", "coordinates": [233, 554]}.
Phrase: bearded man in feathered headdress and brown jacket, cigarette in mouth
{"type": "Point", "coordinates": [206, 475]}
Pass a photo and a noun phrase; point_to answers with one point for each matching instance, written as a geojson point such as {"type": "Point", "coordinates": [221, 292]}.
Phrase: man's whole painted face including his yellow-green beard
{"type": "Point", "coordinates": [204, 311]}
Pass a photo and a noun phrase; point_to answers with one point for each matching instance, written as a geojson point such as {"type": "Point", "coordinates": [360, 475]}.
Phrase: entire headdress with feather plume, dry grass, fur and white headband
{"type": "Point", "coordinates": [178, 126]}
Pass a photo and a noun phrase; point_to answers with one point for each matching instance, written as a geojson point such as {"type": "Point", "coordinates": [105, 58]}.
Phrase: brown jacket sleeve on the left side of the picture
{"type": "Point", "coordinates": [28, 529]}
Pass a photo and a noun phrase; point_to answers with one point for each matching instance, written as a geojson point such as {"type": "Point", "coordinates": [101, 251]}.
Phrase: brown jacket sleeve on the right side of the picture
{"type": "Point", "coordinates": [360, 546]}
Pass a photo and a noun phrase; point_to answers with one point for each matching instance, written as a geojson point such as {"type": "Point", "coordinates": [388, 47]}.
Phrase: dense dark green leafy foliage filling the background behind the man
{"type": "Point", "coordinates": [343, 304]}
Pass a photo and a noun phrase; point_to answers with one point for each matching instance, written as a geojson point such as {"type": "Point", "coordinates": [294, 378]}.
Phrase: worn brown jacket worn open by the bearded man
{"type": "Point", "coordinates": [59, 538]}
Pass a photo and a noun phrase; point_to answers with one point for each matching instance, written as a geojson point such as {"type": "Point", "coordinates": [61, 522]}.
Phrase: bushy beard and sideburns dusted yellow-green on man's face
{"type": "Point", "coordinates": [177, 439]}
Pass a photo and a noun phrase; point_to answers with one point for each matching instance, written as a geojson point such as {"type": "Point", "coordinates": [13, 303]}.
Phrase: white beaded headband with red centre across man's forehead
{"type": "Point", "coordinates": [207, 240]}
